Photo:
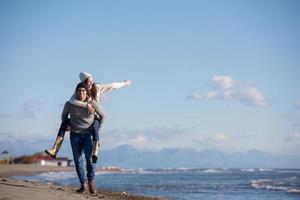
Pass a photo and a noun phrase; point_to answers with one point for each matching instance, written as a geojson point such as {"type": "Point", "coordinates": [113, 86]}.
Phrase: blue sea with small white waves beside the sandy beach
{"type": "Point", "coordinates": [189, 184]}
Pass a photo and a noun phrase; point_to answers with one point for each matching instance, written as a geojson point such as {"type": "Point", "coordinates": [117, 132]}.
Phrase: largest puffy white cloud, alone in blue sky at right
{"type": "Point", "coordinates": [227, 88]}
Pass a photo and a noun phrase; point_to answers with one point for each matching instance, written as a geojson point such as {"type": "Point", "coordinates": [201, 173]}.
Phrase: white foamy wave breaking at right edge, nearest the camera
{"type": "Point", "coordinates": [289, 184]}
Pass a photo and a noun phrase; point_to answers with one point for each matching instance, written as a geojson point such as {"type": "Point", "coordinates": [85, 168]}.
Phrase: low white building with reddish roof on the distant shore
{"type": "Point", "coordinates": [48, 161]}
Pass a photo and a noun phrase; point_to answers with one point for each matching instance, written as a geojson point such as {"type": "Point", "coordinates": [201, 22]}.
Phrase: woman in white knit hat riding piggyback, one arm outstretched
{"type": "Point", "coordinates": [96, 91]}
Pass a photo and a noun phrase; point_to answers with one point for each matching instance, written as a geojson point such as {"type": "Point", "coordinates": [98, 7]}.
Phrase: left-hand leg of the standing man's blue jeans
{"type": "Point", "coordinates": [77, 144]}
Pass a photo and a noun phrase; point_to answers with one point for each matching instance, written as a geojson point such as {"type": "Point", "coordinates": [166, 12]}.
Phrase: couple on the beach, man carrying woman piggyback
{"type": "Point", "coordinates": [86, 118]}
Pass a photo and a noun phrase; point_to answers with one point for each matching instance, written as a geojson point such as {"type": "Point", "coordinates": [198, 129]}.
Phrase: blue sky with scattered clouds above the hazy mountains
{"type": "Point", "coordinates": [206, 74]}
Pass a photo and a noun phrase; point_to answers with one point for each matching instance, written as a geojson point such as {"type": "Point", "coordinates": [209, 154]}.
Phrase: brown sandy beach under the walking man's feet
{"type": "Point", "coordinates": [24, 189]}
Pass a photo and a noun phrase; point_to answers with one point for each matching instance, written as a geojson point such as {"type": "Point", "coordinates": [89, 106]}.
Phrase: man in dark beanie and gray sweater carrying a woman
{"type": "Point", "coordinates": [81, 136]}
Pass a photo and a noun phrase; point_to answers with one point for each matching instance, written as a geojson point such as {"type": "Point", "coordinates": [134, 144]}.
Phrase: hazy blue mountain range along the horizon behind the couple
{"type": "Point", "coordinates": [128, 157]}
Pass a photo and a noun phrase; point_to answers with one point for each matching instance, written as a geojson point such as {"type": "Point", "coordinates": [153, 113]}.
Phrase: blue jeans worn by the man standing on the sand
{"type": "Point", "coordinates": [82, 143]}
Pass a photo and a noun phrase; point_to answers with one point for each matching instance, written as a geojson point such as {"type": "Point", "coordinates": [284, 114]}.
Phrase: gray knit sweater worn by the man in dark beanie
{"type": "Point", "coordinates": [80, 120]}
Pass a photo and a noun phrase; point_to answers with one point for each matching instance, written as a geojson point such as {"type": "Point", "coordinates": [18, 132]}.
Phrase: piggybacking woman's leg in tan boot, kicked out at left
{"type": "Point", "coordinates": [59, 139]}
